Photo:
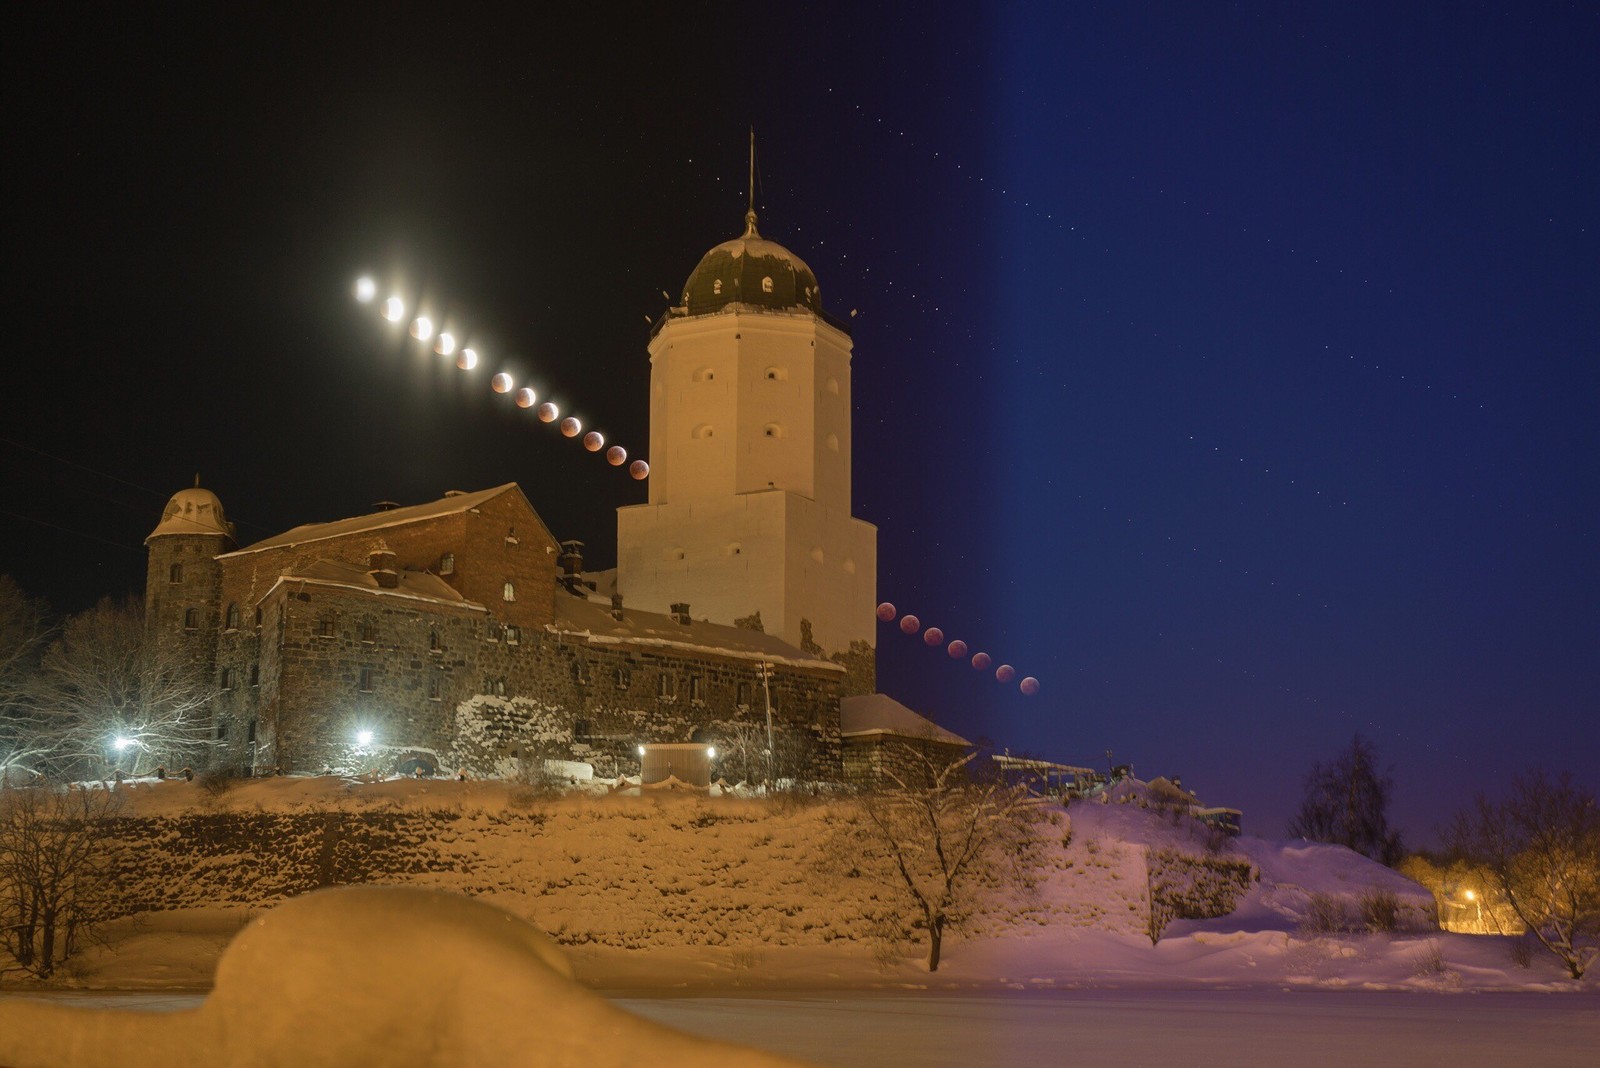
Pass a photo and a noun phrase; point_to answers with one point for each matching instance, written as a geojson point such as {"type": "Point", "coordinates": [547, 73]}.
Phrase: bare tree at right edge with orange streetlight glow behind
{"type": "Point", "coordinates": [1542, 848]}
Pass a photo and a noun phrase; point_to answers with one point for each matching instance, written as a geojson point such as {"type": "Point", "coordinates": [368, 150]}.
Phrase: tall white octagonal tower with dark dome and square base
{"type": "Point", "coordinates": [750, 458]}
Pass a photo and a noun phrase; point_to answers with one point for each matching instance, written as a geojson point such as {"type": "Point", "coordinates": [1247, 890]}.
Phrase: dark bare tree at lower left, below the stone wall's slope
{"type": "Point", "coordinates": [55, 874]}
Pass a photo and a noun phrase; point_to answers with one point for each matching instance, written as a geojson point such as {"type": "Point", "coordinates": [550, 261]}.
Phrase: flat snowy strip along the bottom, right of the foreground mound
{"type": "Point", "coordinates": [1154, 1027]}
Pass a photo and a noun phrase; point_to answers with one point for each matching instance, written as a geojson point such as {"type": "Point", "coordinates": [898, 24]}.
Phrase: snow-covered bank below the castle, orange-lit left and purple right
{"type": "Point", "coordinates": [674, 893]}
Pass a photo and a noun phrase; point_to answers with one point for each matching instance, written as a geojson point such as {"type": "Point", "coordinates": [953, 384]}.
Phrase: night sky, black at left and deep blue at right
{"type": "Point", "coordinates": [1231, 369]}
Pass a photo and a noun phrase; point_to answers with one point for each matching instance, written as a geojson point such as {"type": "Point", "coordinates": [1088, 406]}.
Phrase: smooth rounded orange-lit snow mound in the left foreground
{"type": "Point", "coordinates": [361, 976]}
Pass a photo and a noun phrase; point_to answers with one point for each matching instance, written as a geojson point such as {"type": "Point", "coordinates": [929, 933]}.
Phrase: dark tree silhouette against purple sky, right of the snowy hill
{"type": "Point", "coordinates": [1348, 805]}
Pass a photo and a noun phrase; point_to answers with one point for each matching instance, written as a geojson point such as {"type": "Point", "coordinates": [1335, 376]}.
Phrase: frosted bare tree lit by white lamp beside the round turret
{"type": "Point", "coordinates": [110, 699]}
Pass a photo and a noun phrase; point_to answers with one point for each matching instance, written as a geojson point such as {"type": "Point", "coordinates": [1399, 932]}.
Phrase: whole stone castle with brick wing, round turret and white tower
{"type": "Point", "coordinates": [460, 634]}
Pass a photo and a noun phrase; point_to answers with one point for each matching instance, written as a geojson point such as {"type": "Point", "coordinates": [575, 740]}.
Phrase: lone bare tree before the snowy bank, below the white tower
{"type": "Point", "coordinates": [934, 831]}
